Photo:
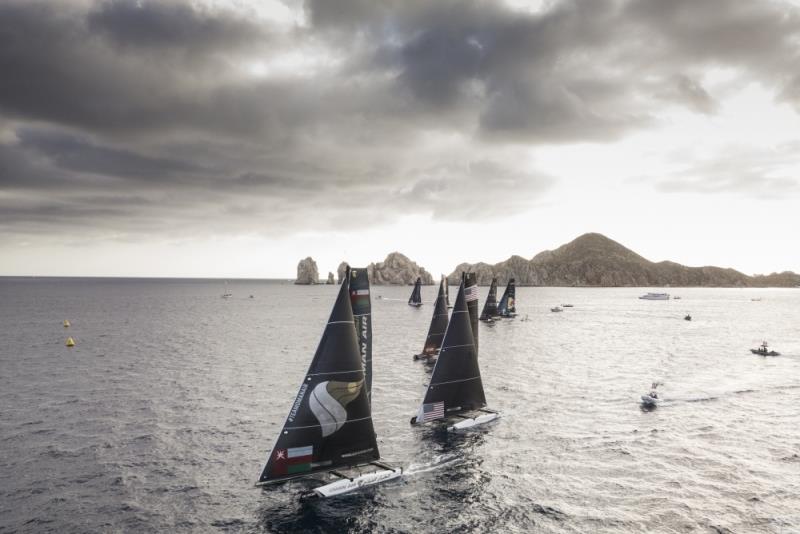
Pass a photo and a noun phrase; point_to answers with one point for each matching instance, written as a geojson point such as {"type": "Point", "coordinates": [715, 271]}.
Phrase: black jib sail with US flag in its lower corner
{"type": "Point", "coordinates": [455, 385]}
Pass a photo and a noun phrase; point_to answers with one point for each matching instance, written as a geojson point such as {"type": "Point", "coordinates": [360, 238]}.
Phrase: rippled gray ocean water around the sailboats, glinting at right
{"type": "Point", "coordinates": [160, 418]}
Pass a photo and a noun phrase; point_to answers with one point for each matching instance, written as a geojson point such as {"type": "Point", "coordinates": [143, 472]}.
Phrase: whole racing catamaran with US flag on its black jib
{"type": "Point", "coordinates": [456, 390]}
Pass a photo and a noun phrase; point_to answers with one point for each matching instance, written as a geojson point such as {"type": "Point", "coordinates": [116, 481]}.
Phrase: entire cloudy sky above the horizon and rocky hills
{"type": "Point", "coordinates": [233, 138]}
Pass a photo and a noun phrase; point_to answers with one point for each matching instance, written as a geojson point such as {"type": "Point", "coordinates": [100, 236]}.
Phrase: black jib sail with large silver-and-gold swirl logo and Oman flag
{"type": "Point", "coordinates": [330, 422]}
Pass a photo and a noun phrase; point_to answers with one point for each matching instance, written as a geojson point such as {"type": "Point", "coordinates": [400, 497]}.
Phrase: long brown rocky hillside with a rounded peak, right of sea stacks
{"type": "Point", "coordinates": [595, 260]}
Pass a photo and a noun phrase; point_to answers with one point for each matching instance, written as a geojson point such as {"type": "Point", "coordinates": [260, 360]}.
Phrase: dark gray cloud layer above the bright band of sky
{"type": "Point", "coordinates": [131, 117]}
